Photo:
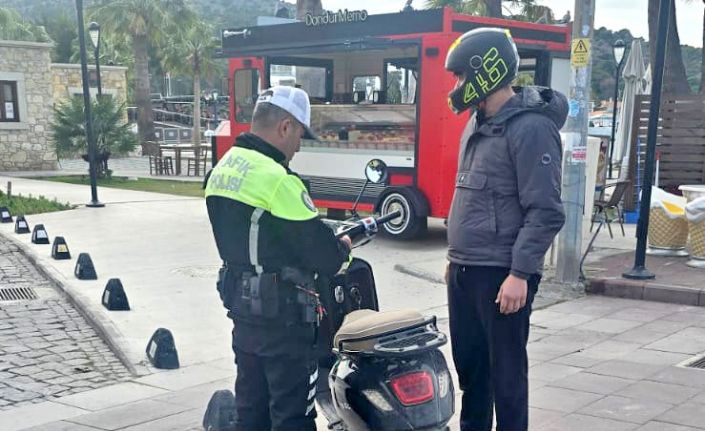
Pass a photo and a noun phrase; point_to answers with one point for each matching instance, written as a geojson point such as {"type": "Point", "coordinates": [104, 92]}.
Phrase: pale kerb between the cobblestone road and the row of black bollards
{"type": "Point", "coordinates": [103, 326]}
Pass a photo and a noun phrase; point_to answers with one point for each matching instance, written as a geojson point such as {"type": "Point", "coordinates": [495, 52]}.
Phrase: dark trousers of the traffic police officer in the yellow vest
{"type": "Point", "coordinates": [275, 393]}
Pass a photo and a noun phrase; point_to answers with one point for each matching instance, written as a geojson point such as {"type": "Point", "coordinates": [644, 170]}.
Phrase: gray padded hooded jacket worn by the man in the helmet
{"type": "Point", "coordinates": [507, 204]}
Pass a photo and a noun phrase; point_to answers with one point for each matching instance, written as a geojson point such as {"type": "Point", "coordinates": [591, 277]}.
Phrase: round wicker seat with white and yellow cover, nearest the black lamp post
{"type": "Point", "coordinates": [668, 227]}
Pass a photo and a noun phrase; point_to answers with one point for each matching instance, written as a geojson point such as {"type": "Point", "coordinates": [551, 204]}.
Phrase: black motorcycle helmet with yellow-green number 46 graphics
{"type": "Point", "coordinates": [487, 58]}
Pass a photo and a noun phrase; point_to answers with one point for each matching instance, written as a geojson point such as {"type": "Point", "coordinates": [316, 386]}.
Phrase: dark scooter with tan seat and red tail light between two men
{"type": "Point", "coordinates": [385, 370]}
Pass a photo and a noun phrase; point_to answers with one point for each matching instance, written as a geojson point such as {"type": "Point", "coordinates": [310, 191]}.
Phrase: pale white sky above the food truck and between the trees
{"type": "Point", "coordinates": [613, 14]}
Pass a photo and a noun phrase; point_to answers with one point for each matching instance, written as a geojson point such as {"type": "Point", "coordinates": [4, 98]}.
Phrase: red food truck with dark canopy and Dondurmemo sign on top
{"type": "Point", "coordinates": [378, 89]}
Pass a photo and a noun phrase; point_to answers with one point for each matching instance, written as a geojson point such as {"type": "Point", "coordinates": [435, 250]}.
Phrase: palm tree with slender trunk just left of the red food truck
{"type": "Point", "coordinates": [190, 52]}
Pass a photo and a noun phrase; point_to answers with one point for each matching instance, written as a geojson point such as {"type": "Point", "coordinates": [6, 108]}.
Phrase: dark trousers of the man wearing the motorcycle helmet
{"type": "Point", "coordinates": [489, 349]}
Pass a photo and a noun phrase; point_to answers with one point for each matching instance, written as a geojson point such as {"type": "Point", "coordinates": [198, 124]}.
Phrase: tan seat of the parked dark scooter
{"type": "Point", "coordinates": [363, 324]}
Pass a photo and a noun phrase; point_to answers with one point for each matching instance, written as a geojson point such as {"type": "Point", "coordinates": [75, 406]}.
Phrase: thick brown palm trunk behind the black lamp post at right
{"type": "Point", "coordinates": [674, 78]}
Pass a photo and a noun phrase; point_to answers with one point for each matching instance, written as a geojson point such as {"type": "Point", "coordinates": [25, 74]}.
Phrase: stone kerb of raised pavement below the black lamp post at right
{"type": "Point", "coordinates": [647, 290]}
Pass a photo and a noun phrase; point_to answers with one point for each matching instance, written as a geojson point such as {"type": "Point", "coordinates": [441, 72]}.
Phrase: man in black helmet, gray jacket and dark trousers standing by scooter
{"type": "Point", "coordinates": [505, 213]}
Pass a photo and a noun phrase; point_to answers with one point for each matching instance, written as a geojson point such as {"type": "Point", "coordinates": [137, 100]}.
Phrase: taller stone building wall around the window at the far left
{"type": "Point", "coordinates": [26, 145]}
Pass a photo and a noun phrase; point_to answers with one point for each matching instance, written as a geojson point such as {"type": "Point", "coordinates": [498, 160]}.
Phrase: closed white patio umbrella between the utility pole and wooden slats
{"type": "Point", "coordinates": [634, 73]}
